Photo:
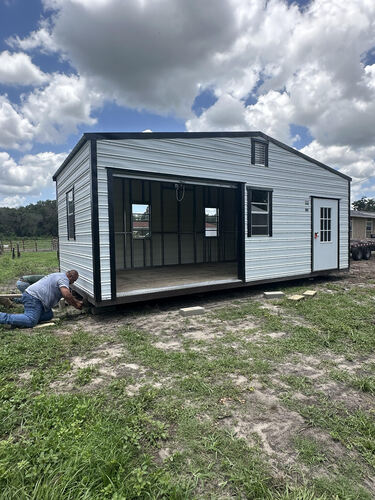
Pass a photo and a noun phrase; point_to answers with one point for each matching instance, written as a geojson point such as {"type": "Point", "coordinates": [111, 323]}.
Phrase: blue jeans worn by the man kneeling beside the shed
{"type": "Point", "coordinates": [33, 314]}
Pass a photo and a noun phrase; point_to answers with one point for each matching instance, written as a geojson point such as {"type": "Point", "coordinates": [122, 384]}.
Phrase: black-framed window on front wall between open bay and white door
{"type": "Point", "coordinates": [259, 212]}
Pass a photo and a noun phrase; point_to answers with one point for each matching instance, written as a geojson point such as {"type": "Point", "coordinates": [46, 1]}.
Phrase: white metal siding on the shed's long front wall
{"type": "Point", "coordinates": [292, 178]}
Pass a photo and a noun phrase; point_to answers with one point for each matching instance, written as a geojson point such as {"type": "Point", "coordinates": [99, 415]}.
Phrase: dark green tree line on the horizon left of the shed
{"type": "Point", "coordinates": [34, 220]}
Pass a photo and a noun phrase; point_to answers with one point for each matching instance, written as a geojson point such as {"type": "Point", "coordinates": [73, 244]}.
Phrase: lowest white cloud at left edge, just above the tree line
{"type": "Point", "coordinates": [30, 175]}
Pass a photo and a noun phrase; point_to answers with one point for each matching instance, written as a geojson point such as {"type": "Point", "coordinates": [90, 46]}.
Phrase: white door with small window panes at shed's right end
{"type": "Point", "coordinates": [325, 234]}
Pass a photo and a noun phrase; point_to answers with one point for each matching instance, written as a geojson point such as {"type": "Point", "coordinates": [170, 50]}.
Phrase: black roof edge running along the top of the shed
{"type": "Point", "coordinates": [192, 135]}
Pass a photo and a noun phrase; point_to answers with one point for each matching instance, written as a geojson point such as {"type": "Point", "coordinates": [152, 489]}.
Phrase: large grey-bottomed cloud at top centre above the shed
{"type": "Point", "coordinates": [145, 55]}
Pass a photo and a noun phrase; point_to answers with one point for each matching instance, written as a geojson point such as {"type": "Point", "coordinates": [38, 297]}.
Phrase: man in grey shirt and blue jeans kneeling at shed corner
{"type": "Point", "coordinates": [39, 298]}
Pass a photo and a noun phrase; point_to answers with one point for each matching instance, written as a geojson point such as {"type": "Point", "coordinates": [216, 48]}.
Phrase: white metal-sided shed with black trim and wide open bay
{"type": "Point", "coordinates": [149, 215]}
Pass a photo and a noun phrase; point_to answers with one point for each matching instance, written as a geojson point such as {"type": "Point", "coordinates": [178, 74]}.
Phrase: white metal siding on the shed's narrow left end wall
{"type": "Point", "coordinates": [77, 254]}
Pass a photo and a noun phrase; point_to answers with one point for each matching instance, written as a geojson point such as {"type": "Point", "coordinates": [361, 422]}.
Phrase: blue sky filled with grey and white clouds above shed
{"type": "Point", "coordinates": [301, 71]}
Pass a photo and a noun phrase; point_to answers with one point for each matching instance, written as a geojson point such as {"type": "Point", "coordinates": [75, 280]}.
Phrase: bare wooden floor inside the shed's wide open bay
{"type": "Point", "coordinates": [137, 281]}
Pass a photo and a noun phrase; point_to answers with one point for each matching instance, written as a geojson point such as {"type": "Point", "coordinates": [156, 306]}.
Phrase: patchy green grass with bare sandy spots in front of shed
{"type": "Point", "coordinates": [186, 438]}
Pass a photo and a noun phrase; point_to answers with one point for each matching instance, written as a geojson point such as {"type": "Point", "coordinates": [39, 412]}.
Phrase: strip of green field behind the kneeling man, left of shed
{"type": "Point", "coordinates": [28, 263]}
